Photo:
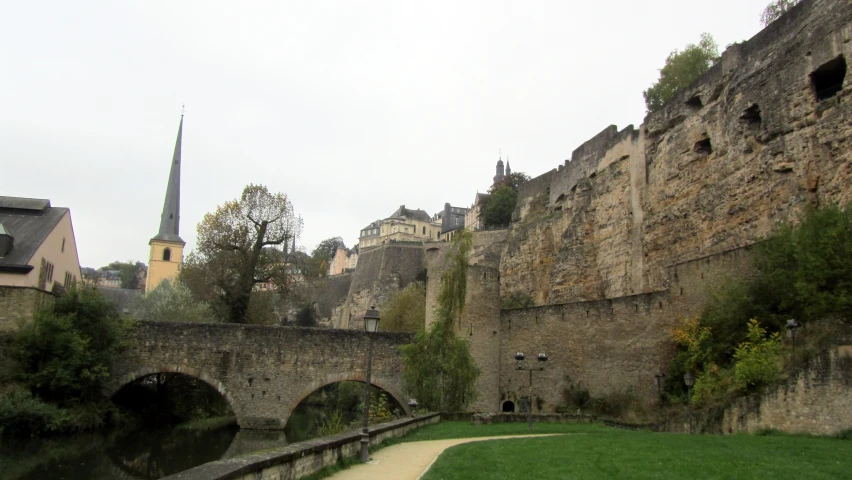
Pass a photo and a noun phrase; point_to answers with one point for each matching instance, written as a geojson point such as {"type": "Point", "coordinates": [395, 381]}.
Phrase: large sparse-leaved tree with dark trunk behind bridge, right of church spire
{"type": "Point", "coordinates": [241, 244]}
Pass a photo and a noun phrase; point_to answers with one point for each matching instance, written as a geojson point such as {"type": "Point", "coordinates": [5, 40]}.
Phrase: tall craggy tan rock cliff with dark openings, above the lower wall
{"type": "Point", "coordinates": [748, 145]}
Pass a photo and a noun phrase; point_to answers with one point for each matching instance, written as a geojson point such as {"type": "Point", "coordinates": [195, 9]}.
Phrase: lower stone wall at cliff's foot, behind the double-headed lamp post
{"type": "Point", "coordinates": [609, 345]}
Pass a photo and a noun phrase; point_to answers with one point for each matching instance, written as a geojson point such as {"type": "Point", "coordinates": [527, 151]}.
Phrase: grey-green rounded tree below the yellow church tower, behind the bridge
{"type": "Point", "coordinates": [172, 303]}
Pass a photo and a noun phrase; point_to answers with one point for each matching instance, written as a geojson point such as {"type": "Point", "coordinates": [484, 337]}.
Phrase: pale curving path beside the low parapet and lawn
{"type": "Point", "coordinates": [408, 461]}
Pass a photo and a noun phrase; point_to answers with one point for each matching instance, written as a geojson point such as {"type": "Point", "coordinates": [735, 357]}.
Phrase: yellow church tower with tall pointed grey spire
{"type": "Point", "coordinates": [166, 254]}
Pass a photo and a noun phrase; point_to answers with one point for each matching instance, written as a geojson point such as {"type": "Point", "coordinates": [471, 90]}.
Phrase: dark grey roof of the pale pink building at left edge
{"type": "Point", "coordinates": [29, 221]}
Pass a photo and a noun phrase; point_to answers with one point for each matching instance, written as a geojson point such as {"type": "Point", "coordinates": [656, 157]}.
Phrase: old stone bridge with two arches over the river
{"type": "Point", "coordinates": [263, 372]}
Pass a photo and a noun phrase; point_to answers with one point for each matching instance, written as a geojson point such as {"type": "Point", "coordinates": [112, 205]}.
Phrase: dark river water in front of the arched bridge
{"type": "Point", "coordinates": [146, 453]}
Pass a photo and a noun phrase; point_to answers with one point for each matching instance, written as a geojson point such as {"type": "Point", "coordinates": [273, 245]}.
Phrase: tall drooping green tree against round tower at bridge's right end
{"type": "Point", "coordinates": [437, 366]}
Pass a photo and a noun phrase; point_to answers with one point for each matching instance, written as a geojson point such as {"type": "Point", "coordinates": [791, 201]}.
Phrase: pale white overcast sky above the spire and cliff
{"type": "Point", "coordinates": [351, 108]}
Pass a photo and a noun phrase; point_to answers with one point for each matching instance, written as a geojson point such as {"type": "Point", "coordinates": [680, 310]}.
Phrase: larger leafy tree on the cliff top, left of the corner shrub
{"type": "Point", "coordinates": [681, 69]}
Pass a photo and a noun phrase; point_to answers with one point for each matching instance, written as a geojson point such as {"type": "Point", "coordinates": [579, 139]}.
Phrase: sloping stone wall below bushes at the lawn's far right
{"type": "Point", "coordinates": [817, 401]}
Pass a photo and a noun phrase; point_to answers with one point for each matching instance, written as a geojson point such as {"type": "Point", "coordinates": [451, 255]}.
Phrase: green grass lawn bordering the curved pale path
{"type": "Point", "coordinates": [595, 451]}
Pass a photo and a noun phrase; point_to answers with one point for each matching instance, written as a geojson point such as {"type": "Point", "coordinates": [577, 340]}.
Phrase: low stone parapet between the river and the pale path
{"type": "Point", "coordinates": [301, 459]}
